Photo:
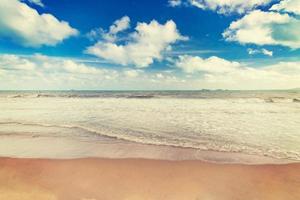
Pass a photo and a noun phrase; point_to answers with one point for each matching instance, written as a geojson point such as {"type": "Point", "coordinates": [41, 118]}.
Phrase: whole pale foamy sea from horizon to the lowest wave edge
{"type": "Point", "coordinates": [265, 123]}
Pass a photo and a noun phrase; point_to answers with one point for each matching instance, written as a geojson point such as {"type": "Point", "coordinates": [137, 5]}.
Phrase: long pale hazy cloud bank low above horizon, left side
{"type": "Point", "coordinates": [44, 72]}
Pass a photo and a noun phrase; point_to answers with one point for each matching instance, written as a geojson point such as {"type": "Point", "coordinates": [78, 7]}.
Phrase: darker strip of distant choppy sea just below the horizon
{"type": "Point", "coordinates": [235, 96]}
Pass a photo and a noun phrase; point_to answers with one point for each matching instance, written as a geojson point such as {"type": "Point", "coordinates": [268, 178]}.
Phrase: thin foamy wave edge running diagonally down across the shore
{"type": "Point", "coordinates": [271, 153]}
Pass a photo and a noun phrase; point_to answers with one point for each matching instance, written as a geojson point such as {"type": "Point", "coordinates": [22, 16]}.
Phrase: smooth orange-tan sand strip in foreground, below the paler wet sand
{"type": "Point", "coordinates": [144, 179]}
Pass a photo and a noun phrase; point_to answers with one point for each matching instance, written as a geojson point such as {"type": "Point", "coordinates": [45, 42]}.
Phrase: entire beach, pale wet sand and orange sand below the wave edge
{"type": "Point", "coordinates": [101, 168]}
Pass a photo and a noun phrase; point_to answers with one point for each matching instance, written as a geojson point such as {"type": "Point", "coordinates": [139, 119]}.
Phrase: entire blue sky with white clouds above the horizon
{"type": "Point", "coordinates": [149, 45]}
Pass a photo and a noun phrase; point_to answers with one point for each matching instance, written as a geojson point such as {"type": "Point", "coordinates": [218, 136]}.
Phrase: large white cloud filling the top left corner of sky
{"type": "Point", "coordinates": [26, 26]}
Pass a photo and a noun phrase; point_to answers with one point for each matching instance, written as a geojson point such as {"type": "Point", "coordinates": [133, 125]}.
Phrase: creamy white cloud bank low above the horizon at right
{"type": "Point", "coordinates": [226, 74]}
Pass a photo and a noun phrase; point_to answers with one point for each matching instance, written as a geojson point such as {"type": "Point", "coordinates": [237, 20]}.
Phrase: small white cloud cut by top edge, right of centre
{"type": "Point", "coordinates": [229, 6]}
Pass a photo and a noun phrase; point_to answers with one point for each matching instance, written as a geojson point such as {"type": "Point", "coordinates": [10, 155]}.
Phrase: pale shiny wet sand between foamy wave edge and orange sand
{"type": "Point", "coordinates": [47, 147]}
